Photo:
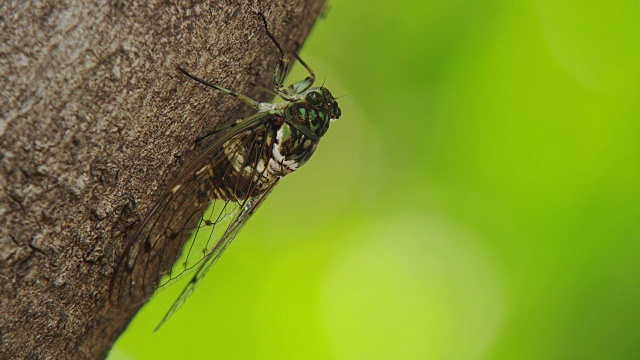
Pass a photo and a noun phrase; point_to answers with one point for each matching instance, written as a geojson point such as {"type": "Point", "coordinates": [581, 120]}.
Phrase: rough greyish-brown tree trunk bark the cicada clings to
{"type": "Point", "coordinates": [94, 122]}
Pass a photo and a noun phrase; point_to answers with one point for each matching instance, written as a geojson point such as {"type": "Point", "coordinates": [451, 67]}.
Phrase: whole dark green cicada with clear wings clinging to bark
{"type": "Point", "coordinates": [200, 214]}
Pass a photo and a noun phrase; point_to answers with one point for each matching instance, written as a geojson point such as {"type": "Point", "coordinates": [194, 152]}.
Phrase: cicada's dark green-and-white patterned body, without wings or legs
{"type": "Point", "coordinates": [257, 159]}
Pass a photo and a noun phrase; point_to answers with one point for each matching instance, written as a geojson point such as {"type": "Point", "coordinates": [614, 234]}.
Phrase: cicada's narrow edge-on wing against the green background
{"type": "Point", "coordinates": [239, 221]}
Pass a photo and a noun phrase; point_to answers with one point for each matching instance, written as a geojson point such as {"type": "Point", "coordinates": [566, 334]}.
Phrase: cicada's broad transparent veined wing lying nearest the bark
{"type": "Point", "coordinates": [198, 216]}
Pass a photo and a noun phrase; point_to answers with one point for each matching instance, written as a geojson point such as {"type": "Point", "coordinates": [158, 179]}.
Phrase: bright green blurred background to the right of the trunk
{"type": "Point", "coordinates": [479, 199]}
